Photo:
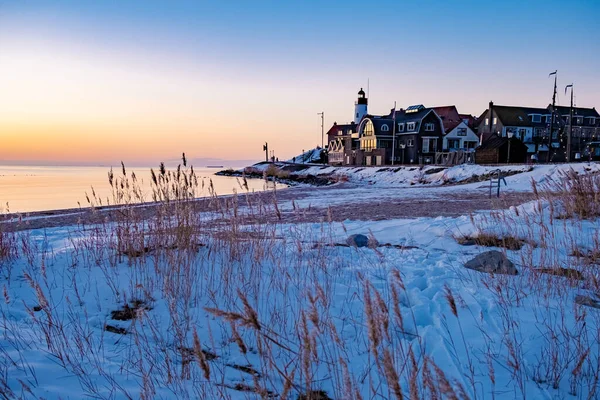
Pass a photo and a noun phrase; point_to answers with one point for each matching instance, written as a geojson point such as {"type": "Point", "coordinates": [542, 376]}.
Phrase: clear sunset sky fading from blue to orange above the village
{"type": "Point", "coordinates": [96, 82]}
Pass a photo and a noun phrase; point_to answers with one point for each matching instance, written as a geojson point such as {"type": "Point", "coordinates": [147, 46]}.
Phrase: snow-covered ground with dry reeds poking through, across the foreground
{"type": "Point", "coordinates": [116, 310]}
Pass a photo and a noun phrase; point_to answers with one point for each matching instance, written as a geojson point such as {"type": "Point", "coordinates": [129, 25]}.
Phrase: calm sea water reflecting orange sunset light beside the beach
{"type": "Point", "coordinates": [28, 189]}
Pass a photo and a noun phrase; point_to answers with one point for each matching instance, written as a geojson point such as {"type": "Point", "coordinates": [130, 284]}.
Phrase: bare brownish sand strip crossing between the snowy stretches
{"type": "Point", "coordinates": [307, 204]}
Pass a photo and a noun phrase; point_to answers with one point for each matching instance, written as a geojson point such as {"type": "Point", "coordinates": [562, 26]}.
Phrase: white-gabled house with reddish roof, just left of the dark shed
{"type": "Point", "coordinates": [458, 135]}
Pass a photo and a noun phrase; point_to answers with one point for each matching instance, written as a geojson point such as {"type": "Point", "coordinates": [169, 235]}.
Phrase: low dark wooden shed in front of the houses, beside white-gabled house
{"type": "Point", "coordinates": [497, 150]}
